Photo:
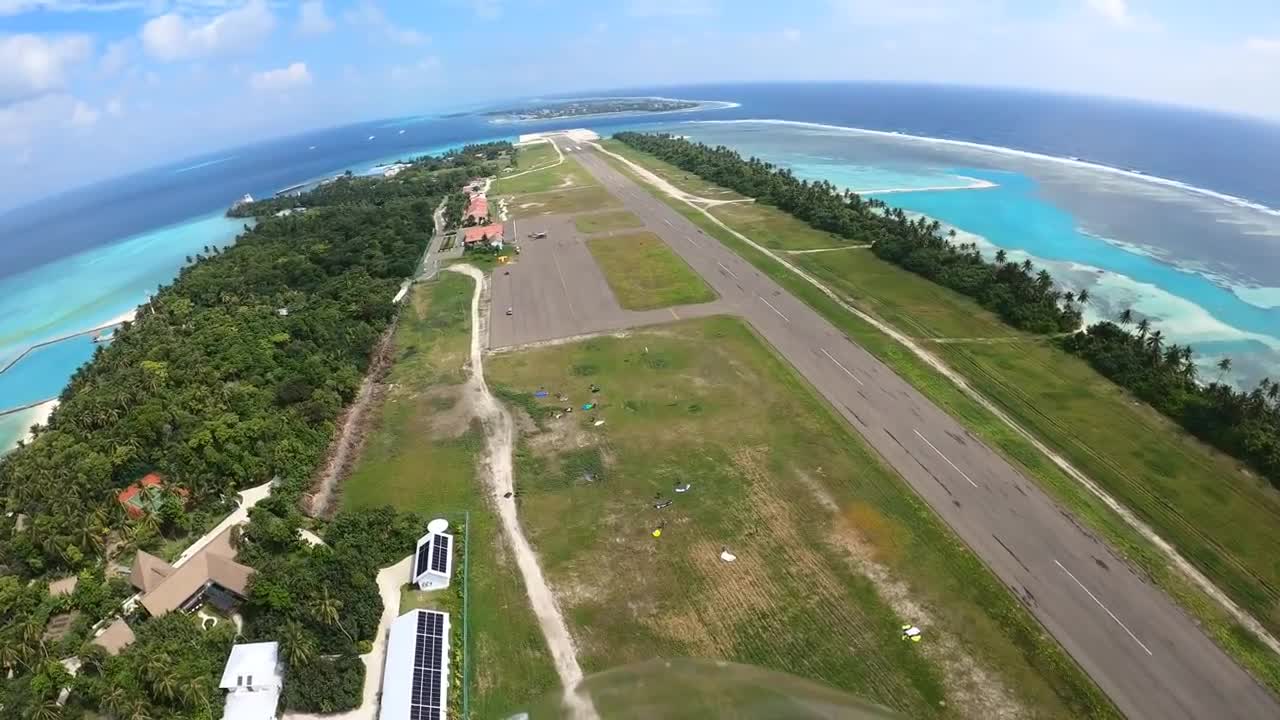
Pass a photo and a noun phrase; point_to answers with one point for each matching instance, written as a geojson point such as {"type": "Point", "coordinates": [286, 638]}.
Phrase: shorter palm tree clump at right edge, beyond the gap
{"type": "Point", "coordinates": [1245, 425]}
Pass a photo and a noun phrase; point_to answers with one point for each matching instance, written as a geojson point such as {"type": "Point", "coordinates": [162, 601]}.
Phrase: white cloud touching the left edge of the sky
{"type": "Point", "coordinates": [33, 66]}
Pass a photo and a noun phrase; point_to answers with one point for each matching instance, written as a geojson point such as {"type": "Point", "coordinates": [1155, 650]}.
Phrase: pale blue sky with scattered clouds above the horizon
{"type": "Point", "coordinates": [92, 88]}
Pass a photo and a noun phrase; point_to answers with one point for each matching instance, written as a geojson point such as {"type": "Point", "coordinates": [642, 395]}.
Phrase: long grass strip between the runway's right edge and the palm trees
{"type": "Point", "coordinates": [1132, 436]}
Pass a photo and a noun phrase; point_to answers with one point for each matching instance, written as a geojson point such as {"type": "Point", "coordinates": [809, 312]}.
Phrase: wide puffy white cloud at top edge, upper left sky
{"type": "Point", "coordinates": [175, 37]}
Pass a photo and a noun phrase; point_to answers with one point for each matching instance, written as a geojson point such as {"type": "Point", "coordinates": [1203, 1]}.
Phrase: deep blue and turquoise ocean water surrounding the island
{"type": "Point", "coordinates": [85, 257]}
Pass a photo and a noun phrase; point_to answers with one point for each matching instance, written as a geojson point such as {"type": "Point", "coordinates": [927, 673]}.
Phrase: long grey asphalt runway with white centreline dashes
{"type": "Point", "coordinates": [1145, 653]}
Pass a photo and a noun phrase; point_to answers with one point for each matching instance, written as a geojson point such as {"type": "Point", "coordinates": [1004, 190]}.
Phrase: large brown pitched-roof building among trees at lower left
{"type": "Point", "coordinates": [211, 576]}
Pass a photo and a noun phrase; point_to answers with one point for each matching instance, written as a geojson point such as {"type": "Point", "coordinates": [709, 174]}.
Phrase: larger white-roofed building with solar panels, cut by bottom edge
{"type": "Point", "coordinates": [417, 675]}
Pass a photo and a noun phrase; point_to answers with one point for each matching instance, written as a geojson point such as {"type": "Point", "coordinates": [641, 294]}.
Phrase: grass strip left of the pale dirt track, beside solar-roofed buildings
{"type": "Point", "coordinates": [422, 457]}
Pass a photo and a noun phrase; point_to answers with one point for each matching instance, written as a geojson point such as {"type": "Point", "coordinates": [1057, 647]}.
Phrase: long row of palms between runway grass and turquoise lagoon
{"type": "Point", "coordinates": [1025, 299]}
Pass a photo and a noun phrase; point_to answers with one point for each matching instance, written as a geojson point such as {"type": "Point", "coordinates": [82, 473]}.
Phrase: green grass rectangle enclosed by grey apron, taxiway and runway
{"type": "Point", "coordinates": [646, 275]}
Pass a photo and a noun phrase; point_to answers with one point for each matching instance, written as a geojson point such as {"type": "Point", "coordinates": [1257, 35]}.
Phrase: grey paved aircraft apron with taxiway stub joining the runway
{"type": "Point", "coordinates": [556, 290]}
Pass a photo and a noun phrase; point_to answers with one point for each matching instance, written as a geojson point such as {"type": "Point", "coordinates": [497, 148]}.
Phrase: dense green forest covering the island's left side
{"type": "Point", "coordinates": [232, 376]}
